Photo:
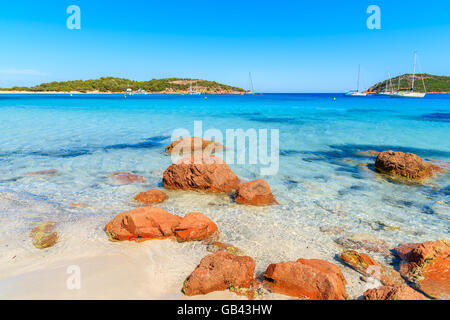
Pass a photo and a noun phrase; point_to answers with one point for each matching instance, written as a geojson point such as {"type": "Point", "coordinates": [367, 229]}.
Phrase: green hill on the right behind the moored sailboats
{"type": "Point", "coordinates": [432, 83]}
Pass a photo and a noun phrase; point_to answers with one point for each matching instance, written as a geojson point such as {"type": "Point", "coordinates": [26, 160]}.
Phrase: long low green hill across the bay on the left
{"type": "Point", "coordinates": [112, 84]}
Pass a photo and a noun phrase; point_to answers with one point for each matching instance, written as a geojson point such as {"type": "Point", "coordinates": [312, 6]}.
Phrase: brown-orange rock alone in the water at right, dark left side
{"type": "Point", "coordinates": [406, 165]}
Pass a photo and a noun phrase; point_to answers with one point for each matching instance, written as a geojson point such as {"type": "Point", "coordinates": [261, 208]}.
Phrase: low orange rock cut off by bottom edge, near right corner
{"type": "Point", "coordinates": [397, 292]}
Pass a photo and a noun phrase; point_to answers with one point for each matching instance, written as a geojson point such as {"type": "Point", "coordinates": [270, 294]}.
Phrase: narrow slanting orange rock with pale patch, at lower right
{"type": "Point", "coordinates": [367, 266]}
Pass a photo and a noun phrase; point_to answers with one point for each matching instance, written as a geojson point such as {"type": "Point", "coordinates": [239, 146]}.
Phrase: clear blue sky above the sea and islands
{"type": "Point", "coordinates": [289, 46]}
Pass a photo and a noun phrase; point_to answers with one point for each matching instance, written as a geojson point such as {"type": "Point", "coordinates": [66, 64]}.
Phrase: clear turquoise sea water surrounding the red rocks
{"type": "Point", "coordinates": [325, 189]}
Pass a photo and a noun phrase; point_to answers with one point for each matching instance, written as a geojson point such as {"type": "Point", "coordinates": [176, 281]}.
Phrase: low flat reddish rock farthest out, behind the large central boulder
{"type": "Point", "coordinates": [193, 144]}
